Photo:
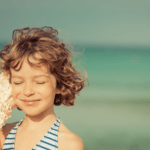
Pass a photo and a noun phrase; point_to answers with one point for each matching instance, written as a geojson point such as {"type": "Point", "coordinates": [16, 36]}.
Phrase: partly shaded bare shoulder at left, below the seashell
{"type": "Point", "coordinates": [4, 131]}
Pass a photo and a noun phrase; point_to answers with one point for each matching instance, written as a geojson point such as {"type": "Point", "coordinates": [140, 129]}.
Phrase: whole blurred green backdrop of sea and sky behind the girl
{"type": "Point", "coordinates": [113, 38]}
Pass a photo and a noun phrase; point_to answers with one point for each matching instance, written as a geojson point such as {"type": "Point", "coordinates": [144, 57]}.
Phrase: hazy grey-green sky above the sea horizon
{"type": "Point", "coordinates": [97, 22]}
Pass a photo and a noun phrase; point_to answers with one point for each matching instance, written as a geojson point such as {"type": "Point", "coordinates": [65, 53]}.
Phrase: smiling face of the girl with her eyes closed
{"type": "Point", "coordinates": [26, 85]}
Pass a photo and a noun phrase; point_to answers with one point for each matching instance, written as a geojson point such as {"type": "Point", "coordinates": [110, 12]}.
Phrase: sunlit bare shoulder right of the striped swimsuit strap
{"type": "Point", "coordinates": [67, 140]}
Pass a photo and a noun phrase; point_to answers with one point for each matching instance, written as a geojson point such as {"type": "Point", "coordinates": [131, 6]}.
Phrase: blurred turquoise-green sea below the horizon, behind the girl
{"type": "Point", "coordinates": [113, 111]}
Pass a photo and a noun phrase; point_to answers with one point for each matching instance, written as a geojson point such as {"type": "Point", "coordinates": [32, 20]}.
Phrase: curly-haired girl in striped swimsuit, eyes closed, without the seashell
{"type": "Point", "coordinates": [41, 75]}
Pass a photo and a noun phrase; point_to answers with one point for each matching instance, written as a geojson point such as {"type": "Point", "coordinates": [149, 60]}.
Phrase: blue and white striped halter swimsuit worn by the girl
{"type": "Point", "coordinates": [48, 142]}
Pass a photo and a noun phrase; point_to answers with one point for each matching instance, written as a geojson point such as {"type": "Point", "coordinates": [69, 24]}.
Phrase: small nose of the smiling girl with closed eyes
{"type": "Point", "coordinates": [28, 89]}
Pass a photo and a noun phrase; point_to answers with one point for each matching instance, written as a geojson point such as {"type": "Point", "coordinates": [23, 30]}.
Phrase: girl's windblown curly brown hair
{"type": "Point", "coordinates": [27, 42]}
